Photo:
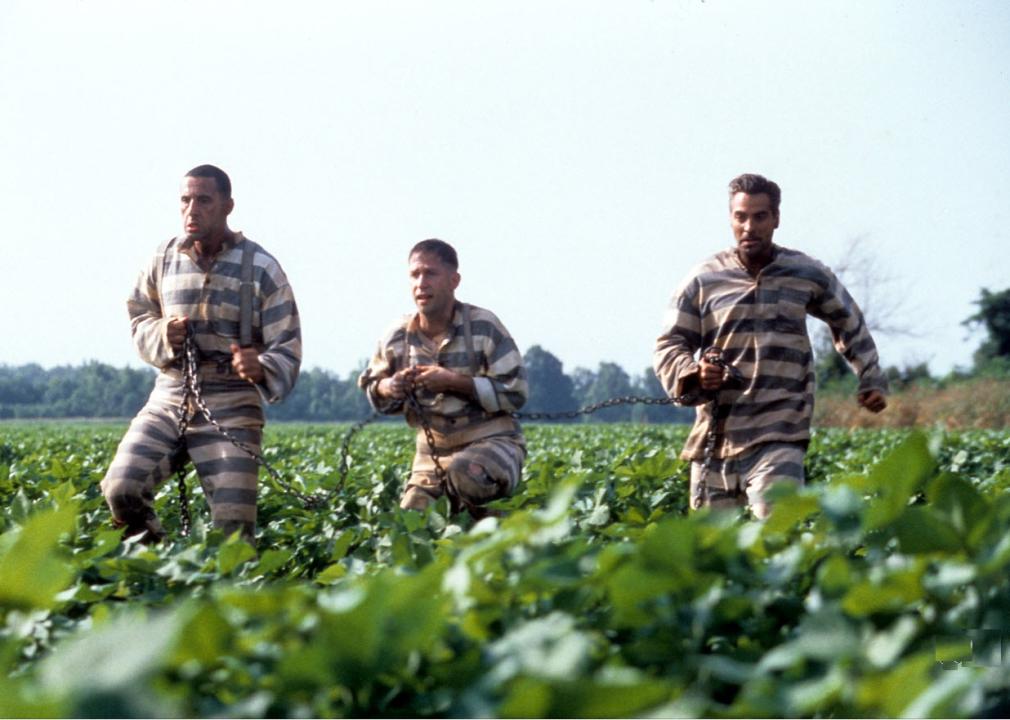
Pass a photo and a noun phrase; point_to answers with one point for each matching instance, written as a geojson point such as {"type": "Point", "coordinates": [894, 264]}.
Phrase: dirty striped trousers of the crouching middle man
{"type": "Point", "coordinates": [478, 473]}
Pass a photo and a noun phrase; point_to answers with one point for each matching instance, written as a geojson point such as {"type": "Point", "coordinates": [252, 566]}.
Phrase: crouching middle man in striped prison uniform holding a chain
{"type": "Point", "coordinates": [467, 376]}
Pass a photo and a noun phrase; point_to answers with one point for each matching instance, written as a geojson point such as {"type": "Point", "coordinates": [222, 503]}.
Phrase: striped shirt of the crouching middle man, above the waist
{"type": "Point", "coordinates": [499, 375]}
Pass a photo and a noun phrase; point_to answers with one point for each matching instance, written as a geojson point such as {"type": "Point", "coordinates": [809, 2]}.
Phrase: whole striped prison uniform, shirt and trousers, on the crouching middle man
{"type": "Point", "coordinates": [479, 444]}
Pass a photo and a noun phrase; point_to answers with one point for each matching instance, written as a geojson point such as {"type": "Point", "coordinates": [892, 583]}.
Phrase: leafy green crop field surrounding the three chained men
{"type": "Point", "coordinates": [881, 590]}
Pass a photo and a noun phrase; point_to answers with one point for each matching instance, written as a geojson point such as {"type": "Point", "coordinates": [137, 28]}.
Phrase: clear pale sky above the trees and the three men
{"type": "Point", "coordinates": [576, 154]}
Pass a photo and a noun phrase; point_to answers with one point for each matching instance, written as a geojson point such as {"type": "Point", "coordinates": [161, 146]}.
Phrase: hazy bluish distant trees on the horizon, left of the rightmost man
{"type": "Point", "coordinates": [95, 390]}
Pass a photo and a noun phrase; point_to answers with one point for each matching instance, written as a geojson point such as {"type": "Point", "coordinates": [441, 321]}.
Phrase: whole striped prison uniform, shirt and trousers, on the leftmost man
{"type": "Point", "coordinates": [174, 285]}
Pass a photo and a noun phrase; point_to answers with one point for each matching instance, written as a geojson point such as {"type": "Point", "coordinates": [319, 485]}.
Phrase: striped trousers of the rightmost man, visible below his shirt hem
{"type": "Point", "coordinates": [746, 479]}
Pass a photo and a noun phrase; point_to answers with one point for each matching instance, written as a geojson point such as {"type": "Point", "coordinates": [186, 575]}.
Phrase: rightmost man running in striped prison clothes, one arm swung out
{"type": "Point", "coordinates": [751, 303]}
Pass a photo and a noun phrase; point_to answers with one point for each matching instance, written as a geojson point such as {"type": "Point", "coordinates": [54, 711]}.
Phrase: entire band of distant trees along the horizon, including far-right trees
{"type": "Point", "coordinates": [102, 391]}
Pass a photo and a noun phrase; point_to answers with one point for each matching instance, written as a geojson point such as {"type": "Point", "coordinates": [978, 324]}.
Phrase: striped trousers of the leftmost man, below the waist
{"type": "Point", "coordinates": [148, 455]}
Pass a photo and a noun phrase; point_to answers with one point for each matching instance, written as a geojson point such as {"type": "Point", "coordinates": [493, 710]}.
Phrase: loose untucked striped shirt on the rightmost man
{"type": "Point", "coordinates": [760, 324]}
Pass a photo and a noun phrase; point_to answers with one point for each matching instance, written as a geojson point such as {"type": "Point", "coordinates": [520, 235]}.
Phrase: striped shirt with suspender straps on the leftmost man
{"type": "Point", "coordinates": [174, 284]}
